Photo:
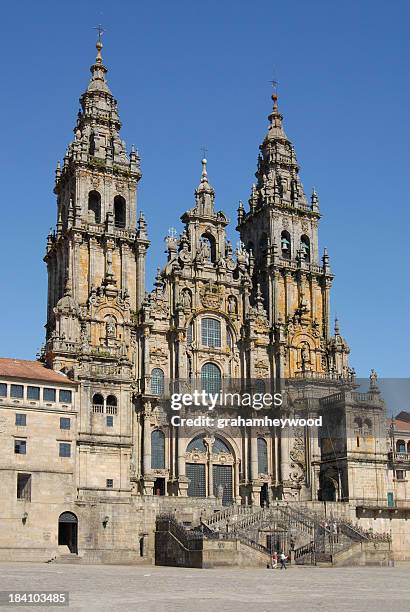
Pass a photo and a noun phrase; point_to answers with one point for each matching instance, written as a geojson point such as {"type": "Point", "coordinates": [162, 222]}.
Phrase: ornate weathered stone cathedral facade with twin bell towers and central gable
{"type": "Point", "coordinates": [256, 317]}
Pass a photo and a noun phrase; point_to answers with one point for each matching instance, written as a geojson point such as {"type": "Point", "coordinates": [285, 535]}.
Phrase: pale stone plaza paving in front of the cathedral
{"type": "Point", "coordinates": [158, 589]}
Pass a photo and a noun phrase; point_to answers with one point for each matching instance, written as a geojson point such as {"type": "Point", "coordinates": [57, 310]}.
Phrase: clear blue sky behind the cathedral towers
{"type": "Point", "coordinates": [188, 74]}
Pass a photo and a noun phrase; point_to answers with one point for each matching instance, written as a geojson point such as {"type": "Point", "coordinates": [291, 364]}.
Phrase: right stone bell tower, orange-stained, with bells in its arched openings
{"type": "Point", "coordinates": [281, 229]}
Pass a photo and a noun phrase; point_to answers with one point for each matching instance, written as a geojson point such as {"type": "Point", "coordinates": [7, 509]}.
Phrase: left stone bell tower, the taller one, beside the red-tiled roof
{"type": "Point", "coordinates": [96, 256]}
